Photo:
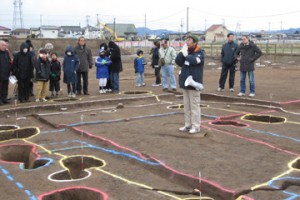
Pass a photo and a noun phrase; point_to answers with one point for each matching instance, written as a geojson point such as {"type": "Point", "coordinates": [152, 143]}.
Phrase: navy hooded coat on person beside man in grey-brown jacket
{"type": "Point", "coordinates": [70, 65]}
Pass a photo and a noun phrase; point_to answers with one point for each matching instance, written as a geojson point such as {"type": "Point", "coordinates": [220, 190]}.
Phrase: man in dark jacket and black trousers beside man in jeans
{"type": "Point", "coordinates": [228, 63]}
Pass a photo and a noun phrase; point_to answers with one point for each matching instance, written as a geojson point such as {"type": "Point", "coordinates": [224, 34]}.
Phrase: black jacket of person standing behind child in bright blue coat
{"type": "Point", "coordinates": [115, 57]}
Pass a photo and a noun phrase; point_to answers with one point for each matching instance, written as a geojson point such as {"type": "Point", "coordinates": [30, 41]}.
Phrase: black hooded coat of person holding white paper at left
{"type": "Point", "coordinates": [23, 63]}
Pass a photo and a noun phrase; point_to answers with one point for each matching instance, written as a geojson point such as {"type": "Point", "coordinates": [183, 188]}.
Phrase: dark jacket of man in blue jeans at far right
{"type": "Point", "coordinates": [249, 54]}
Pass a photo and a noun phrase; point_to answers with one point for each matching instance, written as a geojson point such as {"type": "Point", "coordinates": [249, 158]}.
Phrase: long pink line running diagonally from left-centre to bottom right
{"type": "Point", "coordinates": [157, 160]}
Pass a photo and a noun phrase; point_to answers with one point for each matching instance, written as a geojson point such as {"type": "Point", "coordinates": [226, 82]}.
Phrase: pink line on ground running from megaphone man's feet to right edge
{"type": "Point", "coordinates": [255, 141]}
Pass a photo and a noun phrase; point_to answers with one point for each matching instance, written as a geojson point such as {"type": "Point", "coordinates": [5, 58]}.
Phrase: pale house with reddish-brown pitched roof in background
{"type": "Point", "coordinates": [216, 33]}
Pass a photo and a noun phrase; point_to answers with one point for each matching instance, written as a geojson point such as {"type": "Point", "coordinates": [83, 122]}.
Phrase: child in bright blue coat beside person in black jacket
{"type": "Point", "coordinates": [102, 63]}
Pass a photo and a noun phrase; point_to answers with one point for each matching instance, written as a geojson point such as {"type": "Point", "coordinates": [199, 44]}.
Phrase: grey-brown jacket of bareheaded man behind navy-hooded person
{"type": "Point", "coordinates": [85, 56]}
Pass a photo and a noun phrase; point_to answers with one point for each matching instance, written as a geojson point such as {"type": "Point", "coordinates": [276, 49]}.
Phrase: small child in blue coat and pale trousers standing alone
{"type": "Point", "coordinates": [139, 68]}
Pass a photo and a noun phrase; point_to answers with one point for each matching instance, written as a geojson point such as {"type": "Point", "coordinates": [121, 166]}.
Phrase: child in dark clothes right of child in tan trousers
{"type": "Point", "coordinates": [55, 69]}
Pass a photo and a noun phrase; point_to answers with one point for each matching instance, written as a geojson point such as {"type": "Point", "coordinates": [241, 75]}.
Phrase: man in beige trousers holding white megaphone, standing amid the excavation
{"type": "Point", "coordinates": [191, 60]}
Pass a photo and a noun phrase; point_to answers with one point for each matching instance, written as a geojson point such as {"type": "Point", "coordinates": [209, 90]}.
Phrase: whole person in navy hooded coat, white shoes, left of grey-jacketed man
{"type": "Point", "coordinates": [70, 65]}
